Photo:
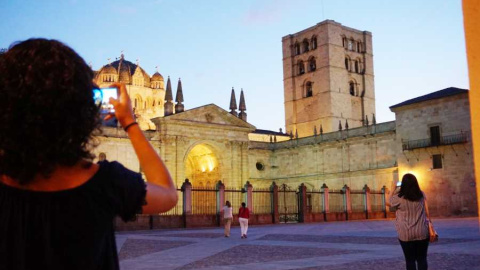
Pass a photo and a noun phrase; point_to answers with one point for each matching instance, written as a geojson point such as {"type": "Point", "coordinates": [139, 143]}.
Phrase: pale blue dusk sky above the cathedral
{"type": "Point", "coordinates": [418, 46]}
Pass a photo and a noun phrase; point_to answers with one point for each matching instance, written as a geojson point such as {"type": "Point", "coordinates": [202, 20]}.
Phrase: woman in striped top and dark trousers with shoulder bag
{"type": "Point", "coordinates": [412, 222]}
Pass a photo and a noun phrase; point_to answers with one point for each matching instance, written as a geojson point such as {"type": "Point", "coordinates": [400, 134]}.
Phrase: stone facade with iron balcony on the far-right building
{"type": "Point", "coordinates": [451, 188]}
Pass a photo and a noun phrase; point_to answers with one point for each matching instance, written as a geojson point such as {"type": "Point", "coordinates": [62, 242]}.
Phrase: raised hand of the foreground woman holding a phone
{"type": "Point", "coordinates": [122, 105]}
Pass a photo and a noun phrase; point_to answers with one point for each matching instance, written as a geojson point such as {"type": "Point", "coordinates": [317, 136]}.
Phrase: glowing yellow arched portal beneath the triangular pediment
{"type": "Point", "coordinates": [202, 166]}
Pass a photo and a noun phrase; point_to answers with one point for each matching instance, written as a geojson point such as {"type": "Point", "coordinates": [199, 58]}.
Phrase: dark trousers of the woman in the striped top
{"type": "Point", "coordinates": [415, 254]}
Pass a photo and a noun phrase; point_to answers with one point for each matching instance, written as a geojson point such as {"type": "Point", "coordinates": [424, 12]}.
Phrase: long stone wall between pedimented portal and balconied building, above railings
{"type": "Point", "coordinates": [355, 157]}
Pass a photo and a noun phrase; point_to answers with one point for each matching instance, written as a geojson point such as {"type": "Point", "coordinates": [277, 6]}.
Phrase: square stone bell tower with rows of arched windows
{"type": "Point", "coordinates": [328, 78]}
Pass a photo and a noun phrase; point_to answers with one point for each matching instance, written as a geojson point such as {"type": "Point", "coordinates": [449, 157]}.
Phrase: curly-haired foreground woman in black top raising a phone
{"type": "Point", "coordinates": [57, 206]}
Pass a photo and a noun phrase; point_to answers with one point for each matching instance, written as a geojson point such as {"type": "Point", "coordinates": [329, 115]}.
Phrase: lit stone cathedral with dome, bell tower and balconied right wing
{"type": "Point", "coordinates": [331, 135]}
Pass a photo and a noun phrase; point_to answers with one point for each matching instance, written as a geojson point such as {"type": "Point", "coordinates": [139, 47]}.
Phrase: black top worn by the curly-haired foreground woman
{"type": "Point", "coordinates": [68, 229]}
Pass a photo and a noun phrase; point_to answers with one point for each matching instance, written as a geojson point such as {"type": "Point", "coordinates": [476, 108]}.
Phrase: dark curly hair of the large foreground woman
{"type": "Point", "coordinates": [47, 112]}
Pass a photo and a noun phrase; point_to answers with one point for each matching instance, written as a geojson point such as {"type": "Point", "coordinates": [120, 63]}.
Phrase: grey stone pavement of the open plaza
{"type": "Point", "coordinates": [358, 245]}
